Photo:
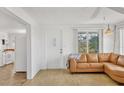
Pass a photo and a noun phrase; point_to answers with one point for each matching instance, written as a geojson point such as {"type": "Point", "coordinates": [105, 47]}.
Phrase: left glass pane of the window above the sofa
{"type": "Point", "coordinates": [82, 42]}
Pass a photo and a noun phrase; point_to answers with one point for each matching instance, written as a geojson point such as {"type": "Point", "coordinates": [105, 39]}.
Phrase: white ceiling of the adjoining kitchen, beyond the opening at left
{"type": "Point", "coordinates": [9, 24]}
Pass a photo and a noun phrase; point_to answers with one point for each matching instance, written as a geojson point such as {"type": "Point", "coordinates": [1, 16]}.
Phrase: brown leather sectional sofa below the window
{"type": "Point", "coordinates": [110, 63]}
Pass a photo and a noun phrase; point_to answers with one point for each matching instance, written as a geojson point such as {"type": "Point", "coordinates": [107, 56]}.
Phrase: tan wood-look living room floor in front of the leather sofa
{"type": "Point", "coordinates": [64, 78]}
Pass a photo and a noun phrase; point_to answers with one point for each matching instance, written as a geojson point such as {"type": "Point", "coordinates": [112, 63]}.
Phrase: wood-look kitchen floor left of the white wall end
{"type": "Point", "coordinates": [8, 78]}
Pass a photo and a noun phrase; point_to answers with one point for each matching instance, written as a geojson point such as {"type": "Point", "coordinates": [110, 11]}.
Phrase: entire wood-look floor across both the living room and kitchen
{"type": "Point", "coordinates": [54, 78]}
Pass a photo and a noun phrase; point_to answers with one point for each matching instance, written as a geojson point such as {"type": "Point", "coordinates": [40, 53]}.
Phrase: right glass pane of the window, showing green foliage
{"type": "Point", "coordinates": [93, 42]}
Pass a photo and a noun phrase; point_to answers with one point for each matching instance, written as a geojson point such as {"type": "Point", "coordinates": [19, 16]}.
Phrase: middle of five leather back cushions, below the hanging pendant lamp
{"type": "Point", "coordinates": [104, 57]}
